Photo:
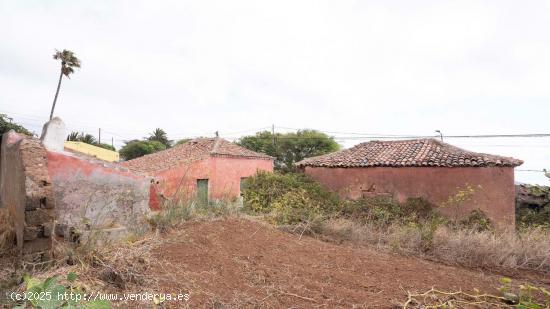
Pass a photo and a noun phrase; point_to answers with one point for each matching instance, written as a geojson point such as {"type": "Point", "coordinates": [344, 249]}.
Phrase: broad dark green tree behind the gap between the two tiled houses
{"type": "Point", "coordinates": [289, 148]}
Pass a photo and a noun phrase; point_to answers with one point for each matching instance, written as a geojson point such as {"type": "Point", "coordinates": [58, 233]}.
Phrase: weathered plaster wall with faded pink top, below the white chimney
{"type": "Point", "coordinates": [96, 195]}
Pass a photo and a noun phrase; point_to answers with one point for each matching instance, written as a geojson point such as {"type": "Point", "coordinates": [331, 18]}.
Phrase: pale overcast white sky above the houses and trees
{"type": "Point", "coordinates": [344, 67]}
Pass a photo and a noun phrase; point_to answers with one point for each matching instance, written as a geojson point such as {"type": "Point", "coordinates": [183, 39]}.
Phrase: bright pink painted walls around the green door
{"type": "Point", "coordinates": [223, 173]}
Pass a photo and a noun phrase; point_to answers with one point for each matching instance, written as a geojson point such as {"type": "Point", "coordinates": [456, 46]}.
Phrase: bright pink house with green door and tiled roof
{"type": "Point", "coordinates": [210, 168]}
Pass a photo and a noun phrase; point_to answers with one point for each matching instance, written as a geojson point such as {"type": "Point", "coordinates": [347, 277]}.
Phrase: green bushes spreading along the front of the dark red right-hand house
{"type": "Point", "coordinates": [292, 198]}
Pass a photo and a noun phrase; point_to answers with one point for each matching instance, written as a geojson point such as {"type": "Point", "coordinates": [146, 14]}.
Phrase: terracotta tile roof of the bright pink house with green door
{"type": "Point", "coordinates": [193, 150]}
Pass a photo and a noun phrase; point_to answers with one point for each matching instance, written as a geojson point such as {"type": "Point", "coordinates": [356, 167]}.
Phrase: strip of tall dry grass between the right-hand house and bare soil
{"type": "Point", "coordinates": [528, 249]}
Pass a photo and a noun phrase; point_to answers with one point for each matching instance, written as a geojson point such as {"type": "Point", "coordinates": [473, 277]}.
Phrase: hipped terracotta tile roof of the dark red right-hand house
{"type": "Point", "coordinates": [421, 152]}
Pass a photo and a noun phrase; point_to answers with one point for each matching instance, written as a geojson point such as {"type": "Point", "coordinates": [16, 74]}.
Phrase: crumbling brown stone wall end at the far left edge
{"type": "Point", "coordinates": [26, 195]}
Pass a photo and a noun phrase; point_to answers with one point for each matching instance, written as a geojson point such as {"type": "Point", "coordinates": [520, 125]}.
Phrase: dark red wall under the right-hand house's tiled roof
{"type": "Point", "coordinates": [495, 192]}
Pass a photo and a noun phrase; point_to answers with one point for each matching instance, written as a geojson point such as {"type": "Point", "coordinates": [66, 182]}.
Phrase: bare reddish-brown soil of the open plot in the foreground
{"type": "Point", "coordinates": [242, 263]}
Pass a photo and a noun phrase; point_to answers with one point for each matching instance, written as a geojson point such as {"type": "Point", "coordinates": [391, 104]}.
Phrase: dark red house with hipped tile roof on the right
{"type": "Point", "coordinates": [424, 168]}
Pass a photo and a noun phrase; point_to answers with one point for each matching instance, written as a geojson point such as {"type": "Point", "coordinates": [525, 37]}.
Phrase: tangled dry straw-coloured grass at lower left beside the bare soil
{"type": "Point", "coordinates": [127, 267]}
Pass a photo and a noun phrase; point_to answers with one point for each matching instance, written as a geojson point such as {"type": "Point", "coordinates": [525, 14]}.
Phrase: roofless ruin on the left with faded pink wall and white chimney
{"type": "Point", "coordinates": [45, 190]}
